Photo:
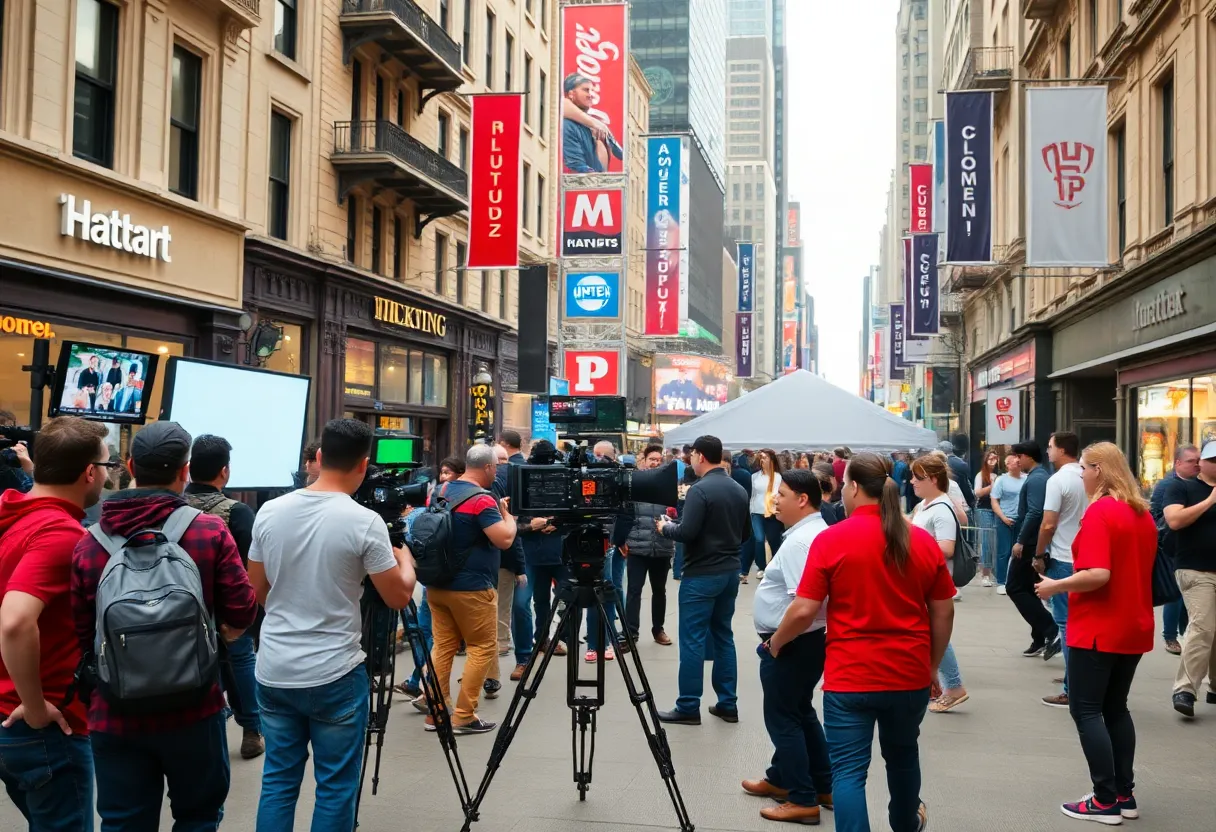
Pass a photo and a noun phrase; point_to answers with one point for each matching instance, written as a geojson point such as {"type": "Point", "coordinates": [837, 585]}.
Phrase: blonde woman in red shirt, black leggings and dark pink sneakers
{"type": "Point", "coordinates": [1110, 628]}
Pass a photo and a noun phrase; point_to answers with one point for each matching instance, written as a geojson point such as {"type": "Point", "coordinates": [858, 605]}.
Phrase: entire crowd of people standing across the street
{"type": "Point", "coordinates": [859, 558]}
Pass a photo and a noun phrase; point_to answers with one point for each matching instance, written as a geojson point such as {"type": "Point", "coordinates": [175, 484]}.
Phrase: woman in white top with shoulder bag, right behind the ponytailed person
{"type": "Point", "coordinates": [938, 515]}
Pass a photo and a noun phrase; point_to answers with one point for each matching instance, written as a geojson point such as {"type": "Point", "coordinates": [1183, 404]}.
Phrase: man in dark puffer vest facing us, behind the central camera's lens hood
{"type": "Point", "coordinates": [649, 555]}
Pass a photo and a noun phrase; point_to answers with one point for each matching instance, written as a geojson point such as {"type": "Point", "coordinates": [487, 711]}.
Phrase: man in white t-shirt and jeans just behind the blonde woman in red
{"type": "Point", "coordinates": [1063, 507]}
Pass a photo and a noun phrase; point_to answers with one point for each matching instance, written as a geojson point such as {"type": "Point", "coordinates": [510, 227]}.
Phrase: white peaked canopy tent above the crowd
{"type": "Point", "coordinates": [802, 412]}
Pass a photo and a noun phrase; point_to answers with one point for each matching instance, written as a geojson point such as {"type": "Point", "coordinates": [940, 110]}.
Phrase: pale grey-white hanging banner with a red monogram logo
{"type": "Point", "coordinates": [1067, 212]}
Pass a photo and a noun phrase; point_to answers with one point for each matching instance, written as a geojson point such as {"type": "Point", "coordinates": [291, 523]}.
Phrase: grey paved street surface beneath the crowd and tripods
{"type": "Point", "coordinates": [1003, 762]}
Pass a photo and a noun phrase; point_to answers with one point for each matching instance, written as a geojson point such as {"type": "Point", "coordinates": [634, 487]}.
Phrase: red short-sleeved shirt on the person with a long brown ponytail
{"type": "Point", "coordinates": [879, 619]}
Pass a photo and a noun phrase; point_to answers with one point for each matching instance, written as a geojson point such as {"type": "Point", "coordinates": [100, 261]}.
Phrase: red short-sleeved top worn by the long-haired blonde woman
{"type": "Point", "coordinates": [1117, 619]}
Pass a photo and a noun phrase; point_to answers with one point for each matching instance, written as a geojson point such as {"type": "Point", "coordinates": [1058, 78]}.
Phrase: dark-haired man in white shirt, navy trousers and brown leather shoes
{"type": "Point", "coordinates": [801, 775]}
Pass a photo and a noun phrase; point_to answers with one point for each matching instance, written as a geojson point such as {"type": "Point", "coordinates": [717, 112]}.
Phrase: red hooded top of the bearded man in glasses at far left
{"type": "Point", "coordinates": [36, 558]}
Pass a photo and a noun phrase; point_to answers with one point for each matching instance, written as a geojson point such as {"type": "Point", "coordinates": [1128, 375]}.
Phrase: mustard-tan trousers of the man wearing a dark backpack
{"type": "Point", "coordinates": [468, 617]}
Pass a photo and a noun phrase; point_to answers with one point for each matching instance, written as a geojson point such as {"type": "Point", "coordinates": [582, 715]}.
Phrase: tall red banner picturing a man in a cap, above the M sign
{"type": "Point", "coordinates": [595, 72]}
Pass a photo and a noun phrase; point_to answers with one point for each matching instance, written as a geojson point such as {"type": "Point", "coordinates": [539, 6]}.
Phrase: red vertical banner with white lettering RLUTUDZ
{"type": "Point", "coordinates": [494, 183]}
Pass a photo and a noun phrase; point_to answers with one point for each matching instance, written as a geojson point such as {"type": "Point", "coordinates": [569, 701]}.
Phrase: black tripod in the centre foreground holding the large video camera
{"type": "Point", "coordinates": [588, 591]}
